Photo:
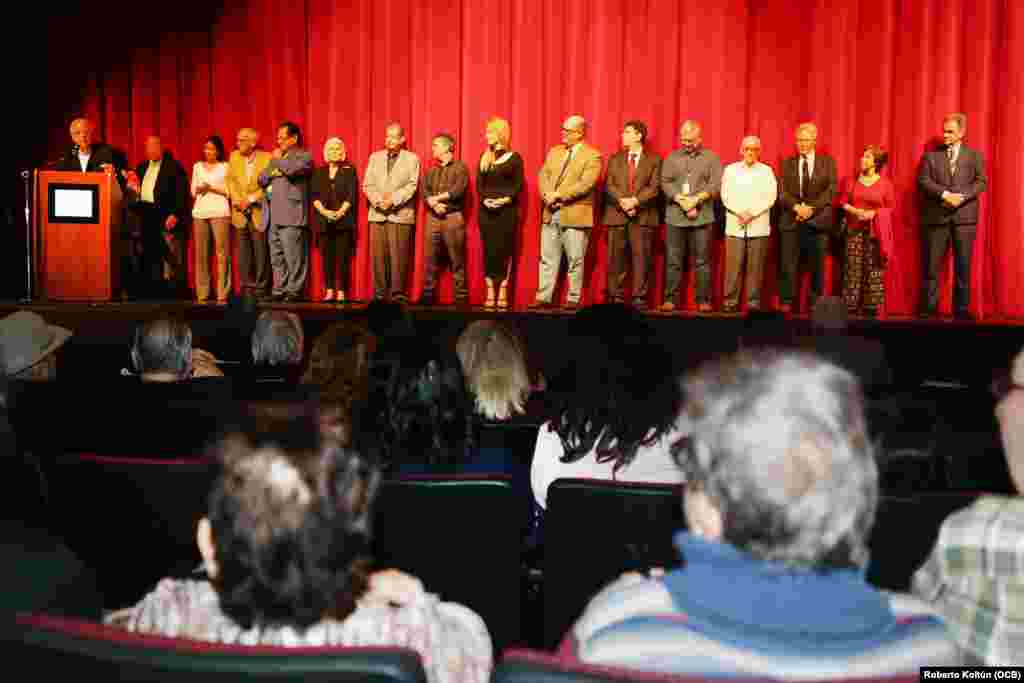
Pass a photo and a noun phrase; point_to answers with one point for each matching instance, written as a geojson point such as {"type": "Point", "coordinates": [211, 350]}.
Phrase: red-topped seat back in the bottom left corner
{"type": "Point", "coordinates": [53, 649]}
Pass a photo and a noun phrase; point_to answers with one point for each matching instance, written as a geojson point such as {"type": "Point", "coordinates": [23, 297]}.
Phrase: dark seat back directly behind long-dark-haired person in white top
{"type": "Point", "coordinates": [595, 531]}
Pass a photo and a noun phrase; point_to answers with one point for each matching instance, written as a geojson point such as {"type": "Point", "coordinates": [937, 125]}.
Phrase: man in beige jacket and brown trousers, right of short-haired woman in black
{"type": "Point", "coordinates": [391, 182]}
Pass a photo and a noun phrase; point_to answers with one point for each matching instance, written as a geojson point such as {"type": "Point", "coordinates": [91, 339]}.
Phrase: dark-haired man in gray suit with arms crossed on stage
{"type": "Point", "coordinates": [287, 181]}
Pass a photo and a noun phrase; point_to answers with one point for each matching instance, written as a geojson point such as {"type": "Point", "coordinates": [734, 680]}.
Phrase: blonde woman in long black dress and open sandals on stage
{"type": "Point", "coordinates": [499, 182]}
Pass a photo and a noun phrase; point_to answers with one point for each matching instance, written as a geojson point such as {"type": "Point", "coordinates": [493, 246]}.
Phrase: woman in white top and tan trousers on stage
{"type": "Point", "coordinates": [211, 214]}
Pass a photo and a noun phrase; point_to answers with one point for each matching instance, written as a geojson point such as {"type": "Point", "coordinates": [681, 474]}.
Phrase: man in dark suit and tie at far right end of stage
{"type": "Point", "coordinates": [951, 181]}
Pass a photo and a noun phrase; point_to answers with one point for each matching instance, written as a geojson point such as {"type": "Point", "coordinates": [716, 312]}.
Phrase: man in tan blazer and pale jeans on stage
{"type": "Point", "coordinates": [568, 181]}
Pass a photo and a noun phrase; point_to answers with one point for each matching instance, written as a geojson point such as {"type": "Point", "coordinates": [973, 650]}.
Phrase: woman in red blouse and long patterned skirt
{"type": "Point", "coordinates": [867, 202]}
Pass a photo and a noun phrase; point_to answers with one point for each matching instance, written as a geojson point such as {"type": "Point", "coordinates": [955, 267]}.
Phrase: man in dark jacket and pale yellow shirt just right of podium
{"type": "Point", "coordinates": [163, 209]}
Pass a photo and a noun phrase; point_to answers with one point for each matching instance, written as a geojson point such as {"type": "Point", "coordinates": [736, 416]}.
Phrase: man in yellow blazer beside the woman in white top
{"type": "Point", "coordinates": [243, 174]}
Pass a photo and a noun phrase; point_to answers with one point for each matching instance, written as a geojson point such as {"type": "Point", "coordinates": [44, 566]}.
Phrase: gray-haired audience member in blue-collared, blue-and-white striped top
{"type": "Point", "coordinates": [782, 491]}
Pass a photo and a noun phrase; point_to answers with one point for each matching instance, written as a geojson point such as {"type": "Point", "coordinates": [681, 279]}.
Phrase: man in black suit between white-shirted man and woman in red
{"type": "Point", "coordinates": [806, 223]}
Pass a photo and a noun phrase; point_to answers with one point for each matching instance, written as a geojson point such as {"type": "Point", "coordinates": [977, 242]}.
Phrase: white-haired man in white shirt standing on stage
{"type": "Point", "coordinates": [749, 192]}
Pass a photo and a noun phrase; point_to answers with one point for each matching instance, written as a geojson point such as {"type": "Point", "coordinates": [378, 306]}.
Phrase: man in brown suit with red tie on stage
{"type": "Point", "coordinates": [631, 212]}
